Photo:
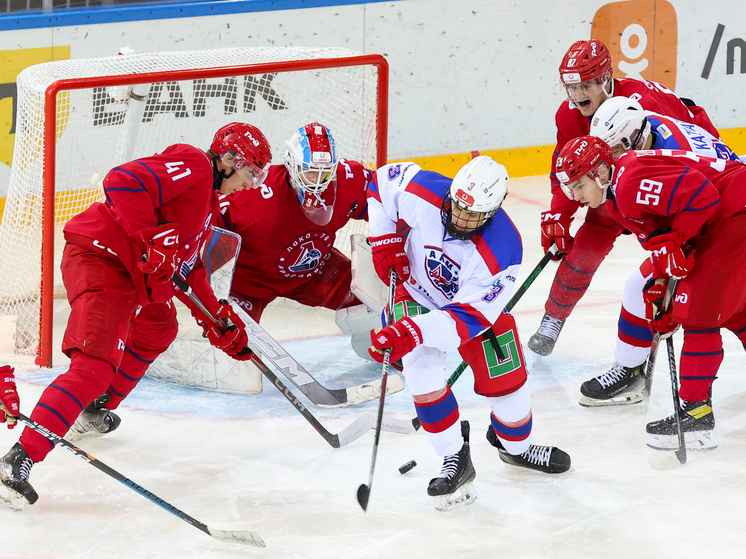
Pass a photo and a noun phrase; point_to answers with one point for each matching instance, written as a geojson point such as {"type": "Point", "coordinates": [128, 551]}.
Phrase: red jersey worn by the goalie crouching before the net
{"type": "Point", "coordinates": [281, 248]}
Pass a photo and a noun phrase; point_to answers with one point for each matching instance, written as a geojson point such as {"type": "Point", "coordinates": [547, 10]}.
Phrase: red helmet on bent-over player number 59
{"type": "Point", "coordinates": [579, 157]}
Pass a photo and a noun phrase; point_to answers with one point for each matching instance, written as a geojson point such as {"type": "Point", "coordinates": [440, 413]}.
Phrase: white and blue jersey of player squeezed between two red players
{"type": "Point", "coordinates": [669, 133]}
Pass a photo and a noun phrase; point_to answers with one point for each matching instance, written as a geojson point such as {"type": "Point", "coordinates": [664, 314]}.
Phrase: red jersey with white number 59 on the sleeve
{"type": "Point", "coordinates": [677, 189]}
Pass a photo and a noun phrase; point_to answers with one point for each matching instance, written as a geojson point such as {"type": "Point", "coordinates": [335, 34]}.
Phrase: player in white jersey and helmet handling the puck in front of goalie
{"type": "Point", "coordinates": [458, 271]}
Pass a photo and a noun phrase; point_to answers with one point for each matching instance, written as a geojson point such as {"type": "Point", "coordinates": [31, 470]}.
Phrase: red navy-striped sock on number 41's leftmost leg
{"type": "Point", "coordinates": [64, 399]}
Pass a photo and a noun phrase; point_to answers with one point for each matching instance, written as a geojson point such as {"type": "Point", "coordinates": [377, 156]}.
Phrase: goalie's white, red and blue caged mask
{"type": "Point", "coordinates": [311, 159]}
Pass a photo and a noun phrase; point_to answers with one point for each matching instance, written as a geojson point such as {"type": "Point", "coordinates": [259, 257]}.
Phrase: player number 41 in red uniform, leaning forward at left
{"type": "Point", "coordinates": [117, 267]}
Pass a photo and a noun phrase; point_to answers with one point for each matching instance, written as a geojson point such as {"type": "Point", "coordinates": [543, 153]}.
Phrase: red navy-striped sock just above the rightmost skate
{"type": "Point", "coordinates": [701, 355]}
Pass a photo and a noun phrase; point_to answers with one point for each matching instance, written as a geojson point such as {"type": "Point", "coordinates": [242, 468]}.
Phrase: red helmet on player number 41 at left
{"type": "Point", "coordinates": [244, 148]}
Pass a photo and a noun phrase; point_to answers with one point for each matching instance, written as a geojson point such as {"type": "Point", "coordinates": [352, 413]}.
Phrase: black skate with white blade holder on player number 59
{"type": "Point", "coordinates": [697, 422]}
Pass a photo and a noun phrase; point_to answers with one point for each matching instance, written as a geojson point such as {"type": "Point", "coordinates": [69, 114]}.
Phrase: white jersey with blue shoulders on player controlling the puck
{"type": "Point", "coordinates": [465, 284]}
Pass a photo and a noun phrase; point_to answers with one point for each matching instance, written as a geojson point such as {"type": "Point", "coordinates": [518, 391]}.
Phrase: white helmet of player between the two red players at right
{"type": "Point", "coordinates": [621, 121]}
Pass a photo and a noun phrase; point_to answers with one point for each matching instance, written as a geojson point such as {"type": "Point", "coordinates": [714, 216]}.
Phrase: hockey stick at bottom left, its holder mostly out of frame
{"type": "Point", "coordinates": [244, 536]}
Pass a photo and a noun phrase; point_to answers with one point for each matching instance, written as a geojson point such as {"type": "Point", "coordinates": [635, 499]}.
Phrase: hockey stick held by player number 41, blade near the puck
{"type": "Point", "coordinates": [353, 431]}
